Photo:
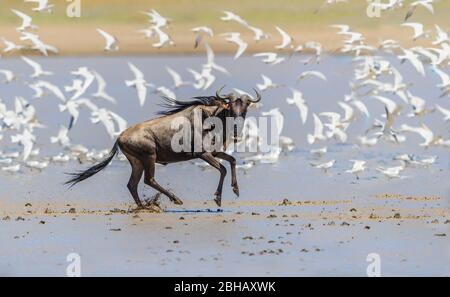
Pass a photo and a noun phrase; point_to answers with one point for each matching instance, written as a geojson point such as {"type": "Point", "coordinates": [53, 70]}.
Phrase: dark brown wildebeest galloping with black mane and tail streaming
{"type": "Point", "coordinates": [150, 142]}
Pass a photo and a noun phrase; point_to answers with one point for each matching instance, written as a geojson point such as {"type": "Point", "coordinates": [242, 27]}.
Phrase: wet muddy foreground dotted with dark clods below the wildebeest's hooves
{"type": "Point", "coordinates": [246, 239]}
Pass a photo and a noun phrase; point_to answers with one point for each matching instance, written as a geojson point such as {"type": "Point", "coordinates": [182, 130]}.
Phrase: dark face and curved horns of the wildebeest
{"type": "Point", "coordinates": [237, 104]}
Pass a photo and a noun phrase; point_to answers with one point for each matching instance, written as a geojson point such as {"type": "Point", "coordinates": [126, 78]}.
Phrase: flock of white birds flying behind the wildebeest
{"type": "Point", "coordinates": [374, 75]}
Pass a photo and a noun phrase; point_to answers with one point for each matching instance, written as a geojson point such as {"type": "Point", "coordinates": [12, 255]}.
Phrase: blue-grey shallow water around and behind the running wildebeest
{"type": "Point", "coordinates": [291, 178]}
